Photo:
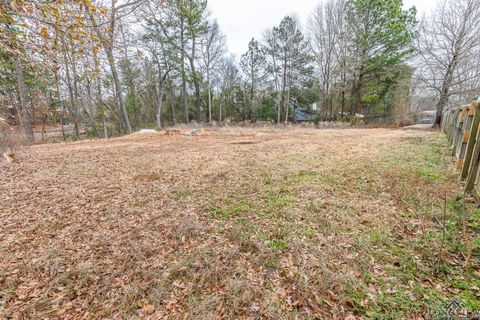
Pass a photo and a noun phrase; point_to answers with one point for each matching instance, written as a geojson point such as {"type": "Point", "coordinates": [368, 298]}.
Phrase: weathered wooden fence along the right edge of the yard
{"type": "Point", "coordinates": [461, 127]}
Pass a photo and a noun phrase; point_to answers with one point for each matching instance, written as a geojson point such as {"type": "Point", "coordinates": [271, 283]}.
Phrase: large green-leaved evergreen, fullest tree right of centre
{"type": "Point", "coordinates": [381, 35]}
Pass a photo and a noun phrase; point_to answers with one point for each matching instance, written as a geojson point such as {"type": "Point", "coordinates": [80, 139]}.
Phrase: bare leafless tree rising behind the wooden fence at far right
{"type": "Point", "coordinates": [448, 47]}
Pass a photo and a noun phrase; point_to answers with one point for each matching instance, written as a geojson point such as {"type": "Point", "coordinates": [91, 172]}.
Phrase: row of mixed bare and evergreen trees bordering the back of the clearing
{"type": "Point", "coordinates": [117, 66]}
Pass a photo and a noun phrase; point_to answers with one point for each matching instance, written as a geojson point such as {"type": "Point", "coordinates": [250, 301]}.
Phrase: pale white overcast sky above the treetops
{"type": "Point", "coordinates": [244, 19]}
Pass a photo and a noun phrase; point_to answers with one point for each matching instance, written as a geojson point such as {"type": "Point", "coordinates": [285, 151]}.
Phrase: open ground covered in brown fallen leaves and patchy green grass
{"type": "Point", "coordinates": [237, 224]}
